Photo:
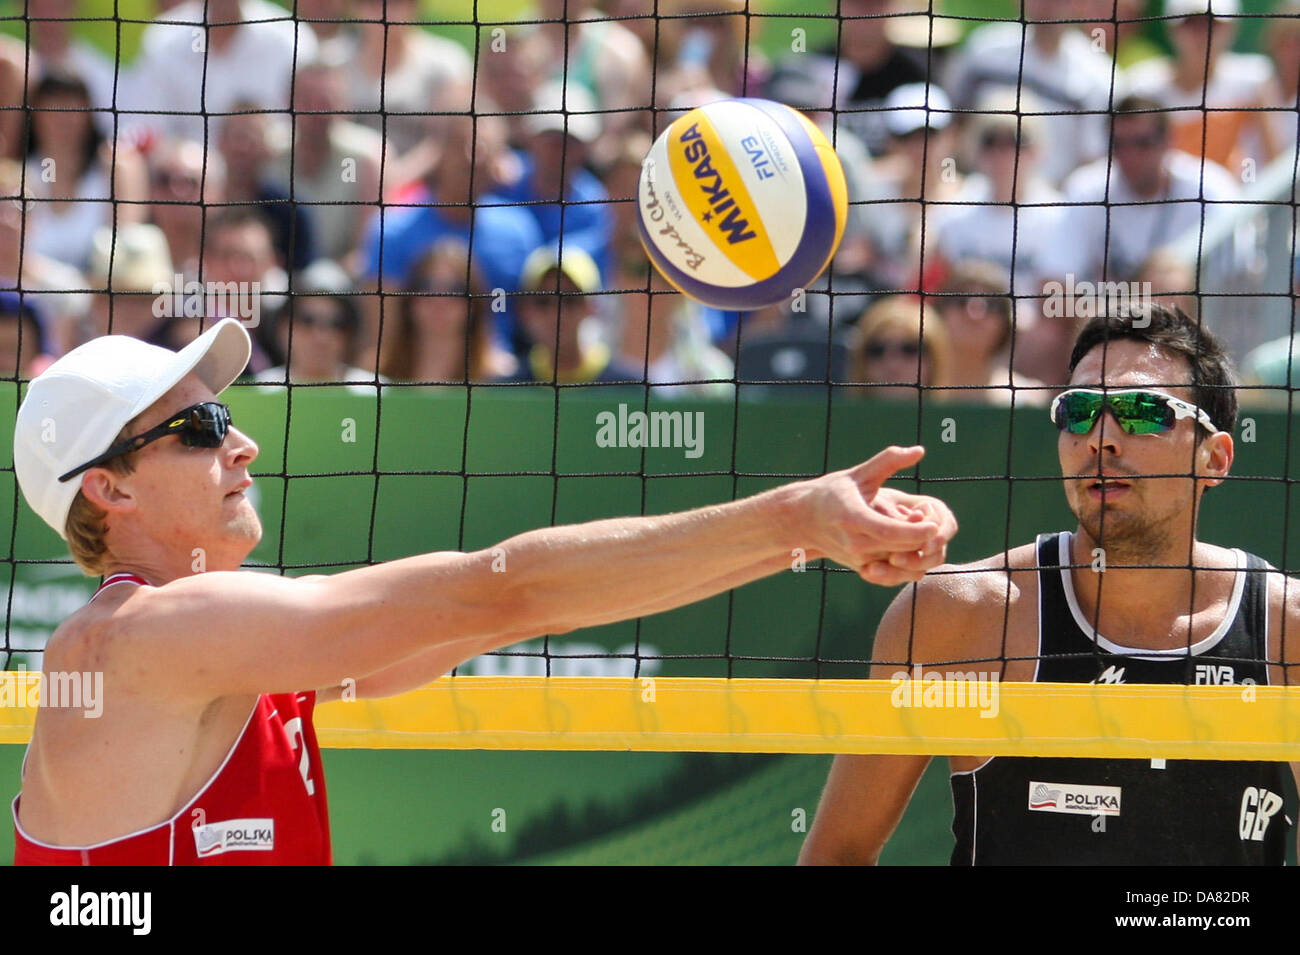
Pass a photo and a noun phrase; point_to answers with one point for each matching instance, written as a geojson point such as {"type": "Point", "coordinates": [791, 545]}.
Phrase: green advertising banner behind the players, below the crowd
{"type": "Point", "coordinates": [345, 479]}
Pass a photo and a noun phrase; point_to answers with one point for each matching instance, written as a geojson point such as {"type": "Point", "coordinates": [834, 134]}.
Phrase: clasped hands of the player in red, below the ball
{"type": "Point", "coordinates": [887, 536]}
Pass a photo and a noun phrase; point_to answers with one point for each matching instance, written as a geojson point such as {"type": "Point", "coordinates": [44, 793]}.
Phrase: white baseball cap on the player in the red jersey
{"type": "Point", "coordinates": [79, 406]}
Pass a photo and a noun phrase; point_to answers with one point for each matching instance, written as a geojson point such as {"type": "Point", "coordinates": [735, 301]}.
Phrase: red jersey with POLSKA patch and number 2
{"type": "Point", "coordinates": [263, 806]}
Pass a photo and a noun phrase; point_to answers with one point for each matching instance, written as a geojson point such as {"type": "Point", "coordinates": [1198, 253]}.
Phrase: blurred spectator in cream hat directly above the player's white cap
{"type": "Point", "coordinates": [142, 272]}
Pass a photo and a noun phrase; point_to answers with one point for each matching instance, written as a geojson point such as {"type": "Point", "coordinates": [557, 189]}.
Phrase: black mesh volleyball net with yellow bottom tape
{"type": "Point", "coordinates": [376, 189]}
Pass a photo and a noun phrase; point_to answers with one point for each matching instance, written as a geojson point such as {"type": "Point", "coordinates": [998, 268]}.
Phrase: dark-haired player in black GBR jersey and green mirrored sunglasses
{"type": "Point", "coordinates": [1151, 402]}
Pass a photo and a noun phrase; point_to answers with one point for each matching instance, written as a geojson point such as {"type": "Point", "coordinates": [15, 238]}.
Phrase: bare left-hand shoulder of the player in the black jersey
{"type": "Point", "coordinates": [983, 610]}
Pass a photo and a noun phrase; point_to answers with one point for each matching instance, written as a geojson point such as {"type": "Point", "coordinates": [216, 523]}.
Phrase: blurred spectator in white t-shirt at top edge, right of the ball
{"type": "Point", "coordinates": [1058, 63]}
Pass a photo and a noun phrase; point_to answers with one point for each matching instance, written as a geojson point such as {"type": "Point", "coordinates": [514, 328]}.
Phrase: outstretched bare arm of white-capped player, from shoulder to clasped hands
{"type": "Point", "coordinates": [224, 633]}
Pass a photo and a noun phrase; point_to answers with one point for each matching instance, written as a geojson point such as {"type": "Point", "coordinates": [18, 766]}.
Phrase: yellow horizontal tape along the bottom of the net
{"type": "Point", "coordinates": [800, 717]}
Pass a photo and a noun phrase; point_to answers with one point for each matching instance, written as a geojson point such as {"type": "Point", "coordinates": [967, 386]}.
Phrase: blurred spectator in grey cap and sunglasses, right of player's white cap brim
{"type": "Point", "coordinates": [317, 332]}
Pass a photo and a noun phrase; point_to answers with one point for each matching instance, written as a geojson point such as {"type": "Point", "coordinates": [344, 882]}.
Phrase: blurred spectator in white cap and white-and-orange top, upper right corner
{"type": "Point", "coordinates": [1214, 93]}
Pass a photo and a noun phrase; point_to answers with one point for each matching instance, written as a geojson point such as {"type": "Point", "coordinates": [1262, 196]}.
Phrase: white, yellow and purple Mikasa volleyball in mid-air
{"type": "Point", "coordinates": [742, 203]}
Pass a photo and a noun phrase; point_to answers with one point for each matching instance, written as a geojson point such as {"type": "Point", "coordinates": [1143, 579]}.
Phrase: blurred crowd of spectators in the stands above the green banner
{"type": "Point", "coordinates": [415, 207]}
